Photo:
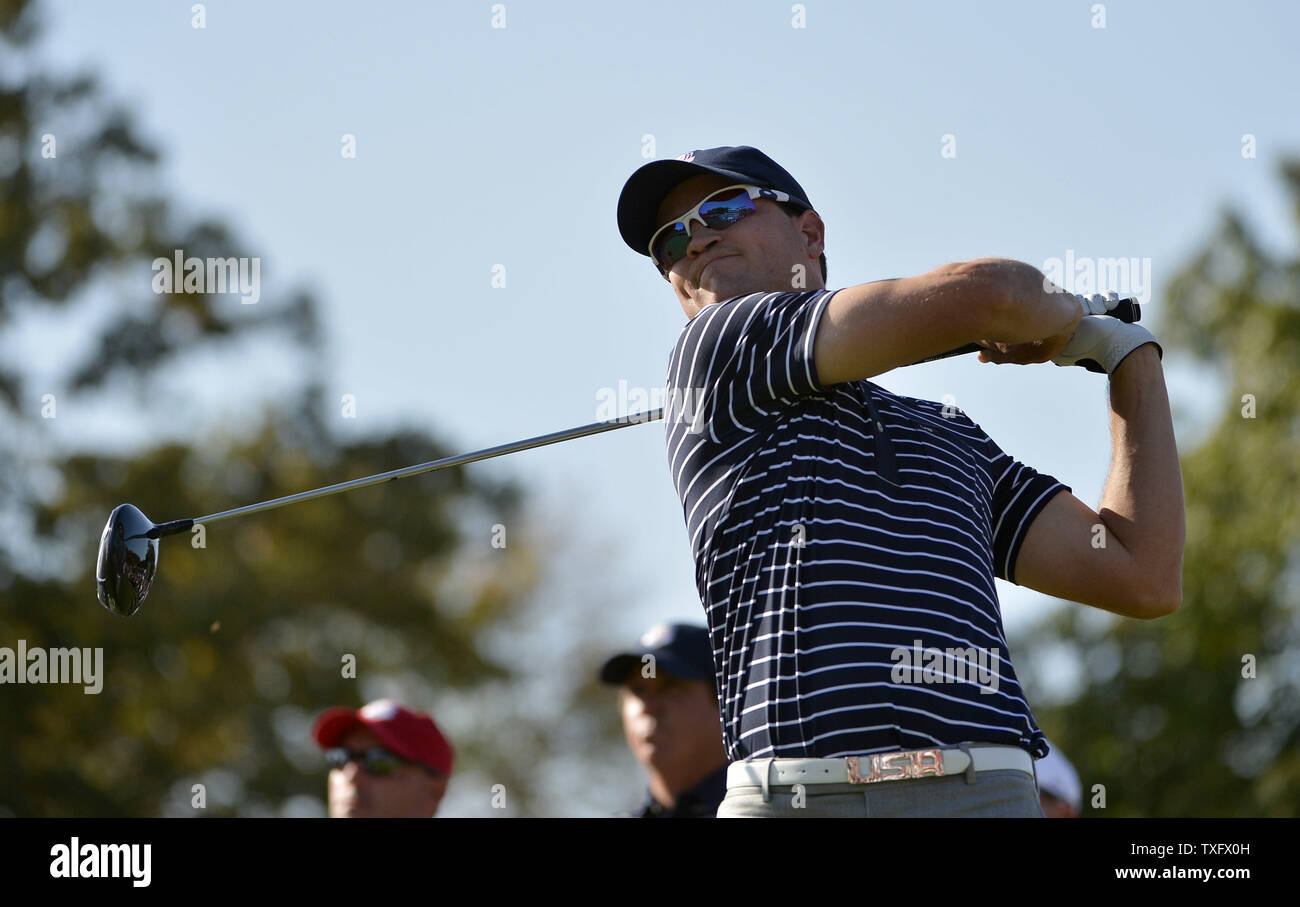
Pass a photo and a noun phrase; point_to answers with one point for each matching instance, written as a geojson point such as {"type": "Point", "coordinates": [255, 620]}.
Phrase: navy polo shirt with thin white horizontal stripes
{"type": "Point", "coordinates": [842, 533]}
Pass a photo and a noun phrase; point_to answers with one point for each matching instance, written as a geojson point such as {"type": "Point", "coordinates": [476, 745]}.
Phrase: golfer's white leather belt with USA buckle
{"type": "Point", "coordinates": [898, 766]}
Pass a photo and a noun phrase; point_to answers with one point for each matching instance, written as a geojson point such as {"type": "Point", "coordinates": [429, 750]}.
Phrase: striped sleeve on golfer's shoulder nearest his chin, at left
{"type": "Point", "coordinates": [740, 362]}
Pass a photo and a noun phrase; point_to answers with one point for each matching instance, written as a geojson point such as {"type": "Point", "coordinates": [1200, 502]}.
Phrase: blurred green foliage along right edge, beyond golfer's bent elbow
{"type": "Point", "coordinates": [1168, 722]}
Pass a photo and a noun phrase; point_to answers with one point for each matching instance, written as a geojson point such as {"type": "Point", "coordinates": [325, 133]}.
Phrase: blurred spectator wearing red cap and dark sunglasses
{"type": "Point", "coordinates": [387, 762]}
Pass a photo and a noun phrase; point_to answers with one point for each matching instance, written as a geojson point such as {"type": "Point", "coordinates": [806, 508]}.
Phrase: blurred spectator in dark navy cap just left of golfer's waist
{"type": "Point", "coordinates": [671, 721]}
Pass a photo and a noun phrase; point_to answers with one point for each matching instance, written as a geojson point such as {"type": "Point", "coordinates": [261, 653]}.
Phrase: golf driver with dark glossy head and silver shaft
{"type": "Point", "coordinates": [129, 548]}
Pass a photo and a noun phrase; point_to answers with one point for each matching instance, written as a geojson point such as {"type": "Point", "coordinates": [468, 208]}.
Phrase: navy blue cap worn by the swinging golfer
{"type": "Point", "coordinates": [647, 189]}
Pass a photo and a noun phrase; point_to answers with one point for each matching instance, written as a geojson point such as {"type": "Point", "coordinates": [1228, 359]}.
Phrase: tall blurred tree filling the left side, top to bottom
{"type": "Point", "coordinates": [248, 631]}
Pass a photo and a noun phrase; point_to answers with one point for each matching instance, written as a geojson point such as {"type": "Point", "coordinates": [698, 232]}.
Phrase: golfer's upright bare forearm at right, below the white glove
{"type": "Point", "coordinates": [1143, 502]}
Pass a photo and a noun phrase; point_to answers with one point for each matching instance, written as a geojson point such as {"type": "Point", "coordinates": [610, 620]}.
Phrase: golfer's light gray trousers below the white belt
{"type": "Point", "coordinates": [998, 795]}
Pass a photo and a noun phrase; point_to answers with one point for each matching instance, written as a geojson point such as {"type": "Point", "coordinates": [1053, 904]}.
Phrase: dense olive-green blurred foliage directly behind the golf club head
{"type": "Point", "coordinates": [241, 641]}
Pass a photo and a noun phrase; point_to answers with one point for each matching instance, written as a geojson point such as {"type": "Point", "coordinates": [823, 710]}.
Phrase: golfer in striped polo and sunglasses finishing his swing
{"type": "Point", "coordinates": [847, 540]}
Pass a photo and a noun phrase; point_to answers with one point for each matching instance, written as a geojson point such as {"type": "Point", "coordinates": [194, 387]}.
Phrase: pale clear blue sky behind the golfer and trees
{"type": "Point", "coordinates": [480, 147]}
